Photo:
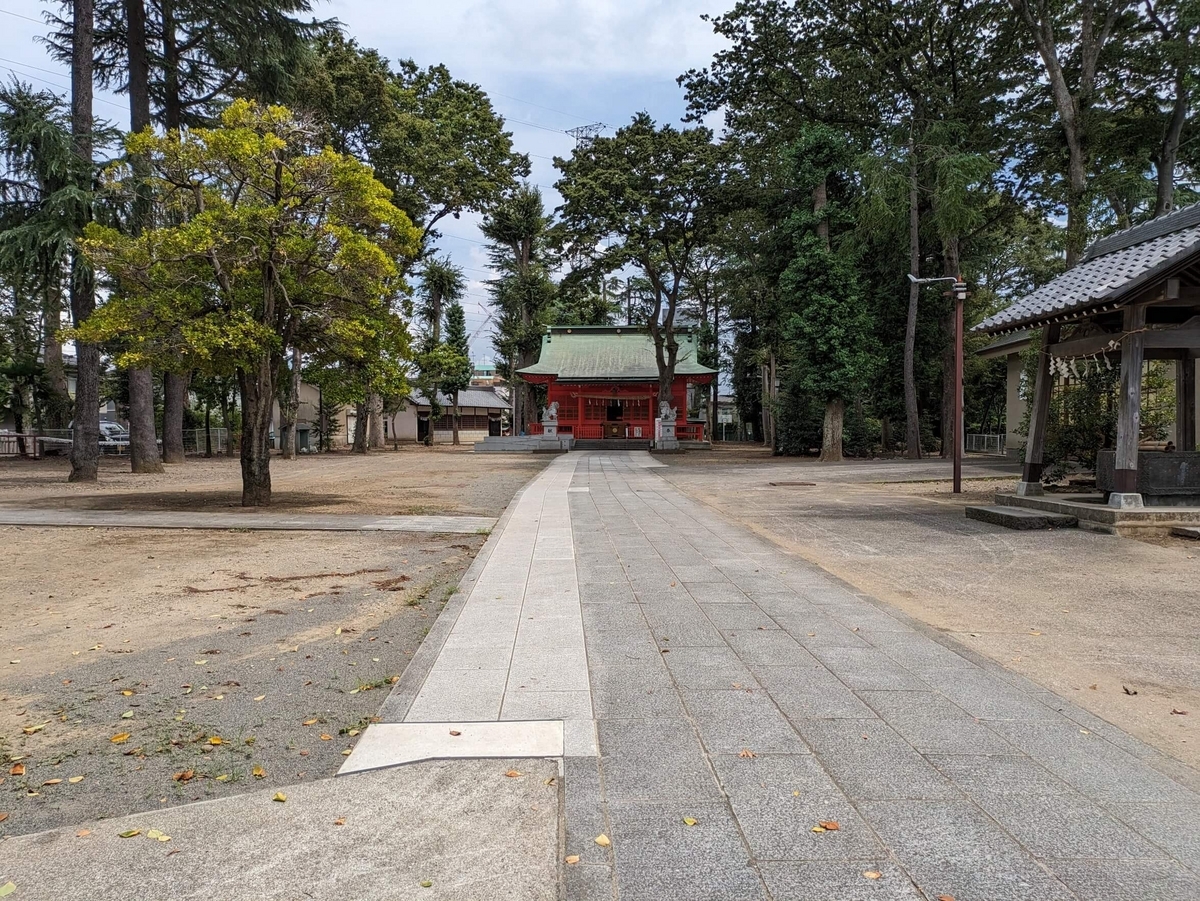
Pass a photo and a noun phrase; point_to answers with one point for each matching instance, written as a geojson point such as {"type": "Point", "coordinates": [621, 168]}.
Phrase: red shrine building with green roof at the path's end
{"type": "Point", "coordinates": [605, 380]}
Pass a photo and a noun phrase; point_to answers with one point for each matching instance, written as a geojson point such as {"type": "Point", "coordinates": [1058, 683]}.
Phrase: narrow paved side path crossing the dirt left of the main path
{"type": "Point", "coordinates": [255, 521]}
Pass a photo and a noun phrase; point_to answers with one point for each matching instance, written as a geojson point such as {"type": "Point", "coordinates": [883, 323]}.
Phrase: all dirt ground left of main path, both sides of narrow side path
{"type": "Point", "coordinates": [146, 669]}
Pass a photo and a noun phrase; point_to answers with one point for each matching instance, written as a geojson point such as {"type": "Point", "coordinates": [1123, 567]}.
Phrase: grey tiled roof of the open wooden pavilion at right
{"type": "Point", "coordinates": [1112, 269]}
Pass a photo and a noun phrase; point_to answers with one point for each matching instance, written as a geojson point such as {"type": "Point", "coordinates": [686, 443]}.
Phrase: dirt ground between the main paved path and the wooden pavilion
{"type": "Point", "coordinates": [1108, 623]}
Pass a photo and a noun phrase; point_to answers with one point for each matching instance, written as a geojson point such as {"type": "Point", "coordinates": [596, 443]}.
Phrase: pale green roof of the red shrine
{"type": "Point", "coordinates": [604, 353]}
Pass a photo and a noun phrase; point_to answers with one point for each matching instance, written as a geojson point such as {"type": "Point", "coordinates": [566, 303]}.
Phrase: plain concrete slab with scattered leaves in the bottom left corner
{"type": "Point", "coordinates": [463, 827]}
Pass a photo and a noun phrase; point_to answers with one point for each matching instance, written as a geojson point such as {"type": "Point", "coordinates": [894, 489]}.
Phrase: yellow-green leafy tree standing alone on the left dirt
{"type": "Point", "coordinates": [275, 238]}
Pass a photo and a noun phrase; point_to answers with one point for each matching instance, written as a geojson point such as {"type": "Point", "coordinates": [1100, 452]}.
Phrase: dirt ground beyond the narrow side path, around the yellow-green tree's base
{"type": "Point", "coordinates": [413, 480]}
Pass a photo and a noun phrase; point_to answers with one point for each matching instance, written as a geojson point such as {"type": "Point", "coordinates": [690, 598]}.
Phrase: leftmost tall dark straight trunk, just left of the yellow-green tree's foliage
{"type": "Point", "coordinates": [86, 445]}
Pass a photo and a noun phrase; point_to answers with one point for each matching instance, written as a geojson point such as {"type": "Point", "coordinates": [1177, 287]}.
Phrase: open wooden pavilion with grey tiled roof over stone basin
{"type": "Point", "coordinates": [1135, 297]}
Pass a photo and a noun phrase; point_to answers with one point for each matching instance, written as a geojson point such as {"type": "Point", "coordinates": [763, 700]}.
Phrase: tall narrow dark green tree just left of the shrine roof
{"type": "Point", "coordinates": [519, 230]}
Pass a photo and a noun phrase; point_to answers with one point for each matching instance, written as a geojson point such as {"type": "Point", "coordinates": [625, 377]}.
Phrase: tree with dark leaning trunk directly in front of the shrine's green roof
{"type": "Point", "coordinates": [651, 193]}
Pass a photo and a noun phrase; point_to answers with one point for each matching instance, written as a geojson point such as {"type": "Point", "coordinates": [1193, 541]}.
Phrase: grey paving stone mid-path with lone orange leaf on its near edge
{"type": "Point", "coordinates": [733, 720]}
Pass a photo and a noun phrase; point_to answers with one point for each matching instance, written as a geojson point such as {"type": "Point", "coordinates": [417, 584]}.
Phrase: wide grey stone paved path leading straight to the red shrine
{"type": "Point", "coordinates": [705, 675]}
